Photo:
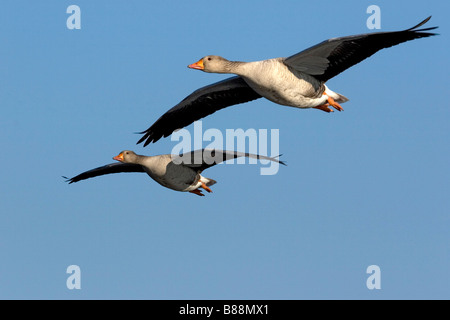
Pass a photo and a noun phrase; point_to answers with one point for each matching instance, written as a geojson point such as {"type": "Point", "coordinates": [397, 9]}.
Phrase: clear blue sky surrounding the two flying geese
{"type": "Point", "coordinates": [367, 186]}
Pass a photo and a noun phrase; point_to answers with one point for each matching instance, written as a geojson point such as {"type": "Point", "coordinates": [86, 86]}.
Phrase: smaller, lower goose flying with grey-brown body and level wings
{"type": "Point", "coordinates": [176, 172]}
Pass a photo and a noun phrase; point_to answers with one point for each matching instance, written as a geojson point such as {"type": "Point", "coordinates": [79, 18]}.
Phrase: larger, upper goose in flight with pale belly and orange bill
{"type": "Point", "coordinates": [297, 81]}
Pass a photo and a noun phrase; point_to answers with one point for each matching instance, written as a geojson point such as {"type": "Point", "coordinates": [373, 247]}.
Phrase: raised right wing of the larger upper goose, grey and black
{"type": "Point", "coordinates": [329, 58]}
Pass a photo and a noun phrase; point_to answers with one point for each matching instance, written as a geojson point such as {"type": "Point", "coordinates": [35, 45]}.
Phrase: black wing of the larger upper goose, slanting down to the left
{"type": "Point", "coordinates": [199, 104]}
